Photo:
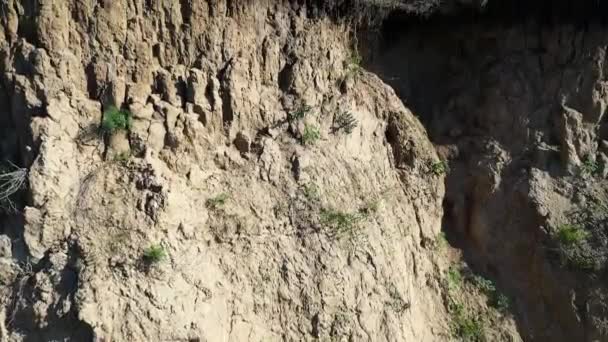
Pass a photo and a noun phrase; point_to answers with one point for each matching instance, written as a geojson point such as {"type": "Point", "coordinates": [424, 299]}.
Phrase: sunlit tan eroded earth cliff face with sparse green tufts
{"type": "Point", "coordinates": [275, 221]}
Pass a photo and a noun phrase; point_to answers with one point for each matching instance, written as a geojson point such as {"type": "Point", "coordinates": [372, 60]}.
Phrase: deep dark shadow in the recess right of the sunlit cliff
{"type": "Point", "coordinates": [487, 87]}
